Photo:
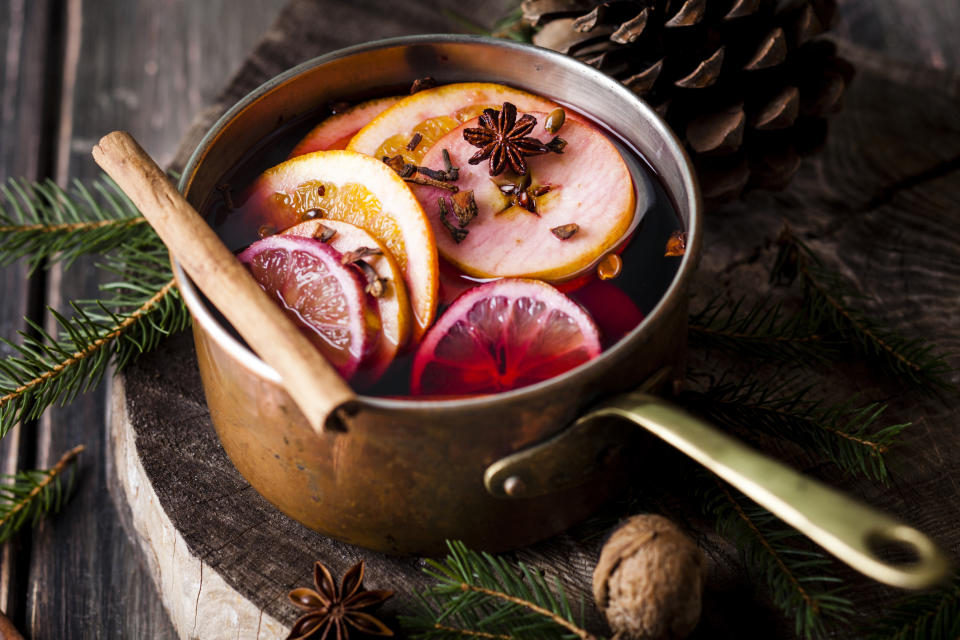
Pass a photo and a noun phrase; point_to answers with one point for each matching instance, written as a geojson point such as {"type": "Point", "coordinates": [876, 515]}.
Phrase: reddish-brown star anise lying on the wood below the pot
{"type": "Point", "coordinates": [332, 608]}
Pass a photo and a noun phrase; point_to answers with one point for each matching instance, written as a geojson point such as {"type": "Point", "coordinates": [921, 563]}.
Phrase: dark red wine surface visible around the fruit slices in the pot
{"type": "Point", "coordinates": [616, 305]}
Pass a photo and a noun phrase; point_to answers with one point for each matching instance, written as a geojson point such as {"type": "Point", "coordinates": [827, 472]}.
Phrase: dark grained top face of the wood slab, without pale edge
{"type": "Point", "coordinates": [876, 202]}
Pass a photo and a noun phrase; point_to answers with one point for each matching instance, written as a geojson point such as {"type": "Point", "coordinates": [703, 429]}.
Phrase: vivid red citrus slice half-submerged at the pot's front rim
{"type": "Point", "coordinates": [503, 335]}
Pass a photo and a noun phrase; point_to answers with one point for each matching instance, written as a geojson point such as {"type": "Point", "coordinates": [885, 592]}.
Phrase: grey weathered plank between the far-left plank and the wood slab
{"type": "Point", "coordinates": [146, 67]}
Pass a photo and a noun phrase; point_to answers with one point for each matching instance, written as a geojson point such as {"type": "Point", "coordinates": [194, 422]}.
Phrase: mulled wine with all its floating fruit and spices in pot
{"type": "Point", "coordinates": [466, 239]}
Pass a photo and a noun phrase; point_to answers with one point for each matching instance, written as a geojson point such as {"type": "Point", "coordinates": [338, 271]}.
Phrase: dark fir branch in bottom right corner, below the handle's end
{"type": "Point", "coordinates": [925, 616]}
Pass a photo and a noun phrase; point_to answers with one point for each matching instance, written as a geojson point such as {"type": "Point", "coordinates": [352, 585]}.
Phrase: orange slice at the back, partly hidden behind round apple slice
{"type": "Point", "coordinates": [433, 113]}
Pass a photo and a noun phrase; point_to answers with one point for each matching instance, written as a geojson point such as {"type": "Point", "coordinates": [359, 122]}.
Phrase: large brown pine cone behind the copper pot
{"type": "Point", "coordinates": [745, 84]}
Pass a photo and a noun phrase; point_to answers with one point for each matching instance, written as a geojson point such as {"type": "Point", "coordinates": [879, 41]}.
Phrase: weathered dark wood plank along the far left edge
{"type": "Point", "coordinates": [24, 93]}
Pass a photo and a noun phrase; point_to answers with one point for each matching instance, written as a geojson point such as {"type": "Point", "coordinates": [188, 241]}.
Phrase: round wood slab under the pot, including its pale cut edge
{"type": "Point", "coordinates": [880, 203]}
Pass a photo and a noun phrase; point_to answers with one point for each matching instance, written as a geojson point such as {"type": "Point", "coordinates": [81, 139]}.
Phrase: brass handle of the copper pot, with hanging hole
{"type": "Point", "coordinates": [843, 526]}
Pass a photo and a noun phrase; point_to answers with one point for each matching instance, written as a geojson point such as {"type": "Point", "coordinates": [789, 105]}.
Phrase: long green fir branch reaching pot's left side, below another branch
{"type": "Point", "coordinates": [141, 307]}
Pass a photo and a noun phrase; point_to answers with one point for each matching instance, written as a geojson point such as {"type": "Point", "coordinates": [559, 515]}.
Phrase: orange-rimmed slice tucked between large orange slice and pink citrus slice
{"type": "Point", "coordinates": [393, 305]}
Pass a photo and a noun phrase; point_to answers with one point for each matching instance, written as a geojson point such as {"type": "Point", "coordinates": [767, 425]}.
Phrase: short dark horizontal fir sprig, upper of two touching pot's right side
{"type": "Point", "coordinates": [761, 330]}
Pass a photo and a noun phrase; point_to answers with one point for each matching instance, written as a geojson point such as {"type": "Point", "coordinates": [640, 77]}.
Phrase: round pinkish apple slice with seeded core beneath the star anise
{"type": "Point", "coordinates": [580, 204]}
